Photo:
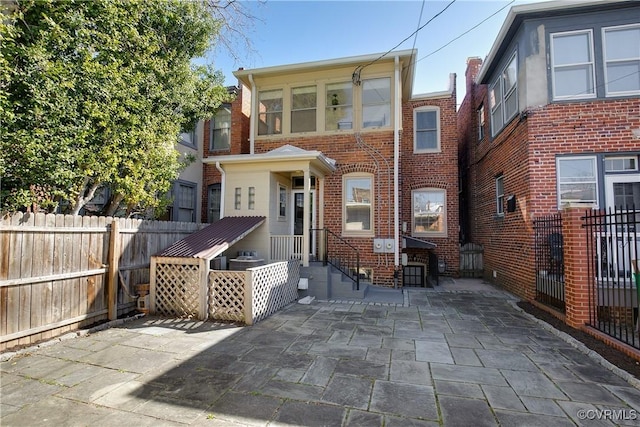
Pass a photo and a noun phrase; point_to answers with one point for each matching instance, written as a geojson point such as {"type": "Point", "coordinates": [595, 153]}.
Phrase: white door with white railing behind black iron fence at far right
{"type": "Point", "coordinates": [620, 244]}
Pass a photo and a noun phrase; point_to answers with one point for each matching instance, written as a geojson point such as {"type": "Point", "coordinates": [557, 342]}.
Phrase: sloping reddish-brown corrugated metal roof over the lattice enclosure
{"type": "Point", "coordinates": [214, 239]}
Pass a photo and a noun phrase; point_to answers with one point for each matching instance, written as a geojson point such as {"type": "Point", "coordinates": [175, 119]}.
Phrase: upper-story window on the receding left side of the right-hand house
{"type": "Point", "coordinates": [503, 96]}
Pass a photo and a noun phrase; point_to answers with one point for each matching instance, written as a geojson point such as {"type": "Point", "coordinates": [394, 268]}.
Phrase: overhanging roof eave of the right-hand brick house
{"type": "Point", "coordinates": [517, 14]}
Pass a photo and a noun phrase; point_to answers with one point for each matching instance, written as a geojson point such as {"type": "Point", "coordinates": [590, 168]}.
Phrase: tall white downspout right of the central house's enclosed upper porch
{"type": "Point", "coordinates": [396, 160]}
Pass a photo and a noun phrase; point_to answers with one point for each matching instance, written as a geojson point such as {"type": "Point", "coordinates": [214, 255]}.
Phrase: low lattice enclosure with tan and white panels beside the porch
{"type": "Point", "coordinates": [189, 289]}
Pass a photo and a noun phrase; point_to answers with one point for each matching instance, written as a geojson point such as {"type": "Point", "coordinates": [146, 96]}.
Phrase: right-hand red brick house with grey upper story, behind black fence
{"type": "Point", "coordinates": [551, 118]}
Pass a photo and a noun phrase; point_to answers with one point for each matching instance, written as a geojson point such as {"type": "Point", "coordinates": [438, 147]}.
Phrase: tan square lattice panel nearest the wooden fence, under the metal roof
{"type": "Point", "coordinates": [177, 290]}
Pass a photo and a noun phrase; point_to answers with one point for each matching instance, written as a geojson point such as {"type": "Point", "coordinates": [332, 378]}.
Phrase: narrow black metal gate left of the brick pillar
{"type": "Point", "coordinates": [549, 254]}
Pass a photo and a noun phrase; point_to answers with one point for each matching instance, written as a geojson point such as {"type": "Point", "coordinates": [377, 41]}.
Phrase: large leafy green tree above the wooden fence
{"type": "Point", "coordinates": [93, 94]}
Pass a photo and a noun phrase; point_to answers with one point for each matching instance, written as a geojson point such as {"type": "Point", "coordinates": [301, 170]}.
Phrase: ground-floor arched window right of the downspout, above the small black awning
{"type": "Point", "coordinates": [429, 213]}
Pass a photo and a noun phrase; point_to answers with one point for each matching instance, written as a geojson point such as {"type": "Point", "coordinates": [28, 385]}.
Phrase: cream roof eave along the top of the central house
{"type": "Point", "coordinates": [406, 57]}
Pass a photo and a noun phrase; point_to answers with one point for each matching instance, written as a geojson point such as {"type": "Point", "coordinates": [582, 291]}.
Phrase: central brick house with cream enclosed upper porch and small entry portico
{"type": "Point", "coordinates": [339, 145]}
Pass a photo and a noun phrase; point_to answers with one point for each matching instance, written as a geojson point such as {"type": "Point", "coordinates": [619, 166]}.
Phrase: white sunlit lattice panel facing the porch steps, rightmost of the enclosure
{"type": "Point", "coordinates": [274, 286]}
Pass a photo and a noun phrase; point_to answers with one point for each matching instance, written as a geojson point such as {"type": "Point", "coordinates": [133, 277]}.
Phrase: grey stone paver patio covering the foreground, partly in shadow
{"type": "Point", "coordinates": [446, 358]}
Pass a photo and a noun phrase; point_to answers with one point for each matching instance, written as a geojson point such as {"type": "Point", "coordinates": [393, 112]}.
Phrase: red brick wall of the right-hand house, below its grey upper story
{"type": "Point", "coordinates": [525, 153]}
